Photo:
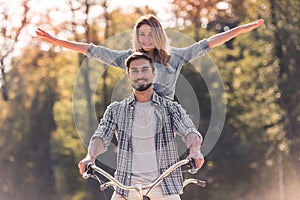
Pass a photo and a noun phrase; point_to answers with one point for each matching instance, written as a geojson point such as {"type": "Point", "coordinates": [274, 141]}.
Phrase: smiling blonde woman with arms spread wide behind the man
{"type": "Point", "coordinates": [150, 37]}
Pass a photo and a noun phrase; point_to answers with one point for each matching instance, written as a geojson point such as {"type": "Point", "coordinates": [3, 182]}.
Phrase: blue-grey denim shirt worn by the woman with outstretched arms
{"type": "Point", "coordinates": [166, 77]}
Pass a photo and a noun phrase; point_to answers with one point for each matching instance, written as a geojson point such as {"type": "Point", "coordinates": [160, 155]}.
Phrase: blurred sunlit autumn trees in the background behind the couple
{"type": "Point", "coordinates": [257, 155]}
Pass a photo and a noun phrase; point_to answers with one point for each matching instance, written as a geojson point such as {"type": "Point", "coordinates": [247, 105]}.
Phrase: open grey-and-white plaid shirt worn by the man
{"type": "Point", "coordinates": [169, 117]}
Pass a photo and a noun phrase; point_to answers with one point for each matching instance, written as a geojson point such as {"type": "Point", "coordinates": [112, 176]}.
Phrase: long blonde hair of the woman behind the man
{"type": "Point", "coordinates": [161, 50]}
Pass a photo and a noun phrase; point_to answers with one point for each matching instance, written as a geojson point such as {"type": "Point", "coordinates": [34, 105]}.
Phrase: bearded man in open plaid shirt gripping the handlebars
{"type": "Point", "coordinates": [144, 125]}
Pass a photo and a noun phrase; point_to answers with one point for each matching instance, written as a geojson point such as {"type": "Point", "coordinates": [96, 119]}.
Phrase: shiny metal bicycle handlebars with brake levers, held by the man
{"type": "Point", "coordinates": [92, 168]}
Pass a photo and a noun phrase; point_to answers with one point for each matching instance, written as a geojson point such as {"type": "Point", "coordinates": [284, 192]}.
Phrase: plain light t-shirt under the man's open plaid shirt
{"type": "Point", "coordinates": [144, 162]}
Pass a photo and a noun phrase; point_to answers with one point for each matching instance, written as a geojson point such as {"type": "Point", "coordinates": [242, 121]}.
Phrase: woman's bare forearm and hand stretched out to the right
{"type": "Point", "coordinates": [221, 38]}
